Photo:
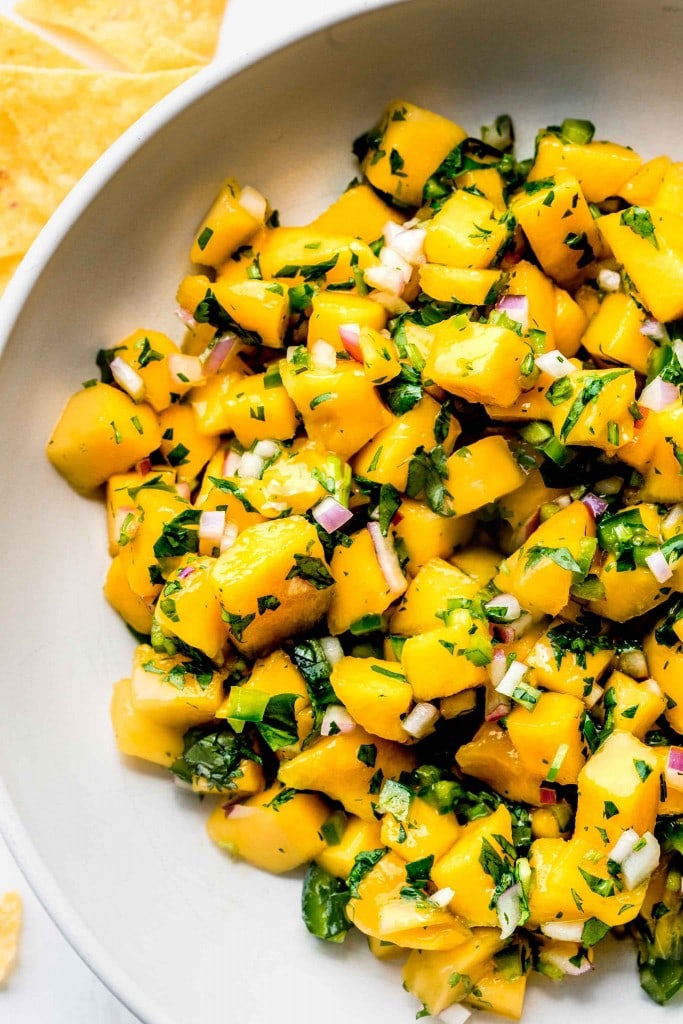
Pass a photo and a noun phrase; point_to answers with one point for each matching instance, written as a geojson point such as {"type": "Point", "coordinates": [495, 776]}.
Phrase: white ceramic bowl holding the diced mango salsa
{"type": "Point", "coordinates": [117, 854]}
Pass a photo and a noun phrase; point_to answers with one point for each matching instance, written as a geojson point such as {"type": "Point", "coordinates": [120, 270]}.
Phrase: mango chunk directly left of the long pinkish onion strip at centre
{"type": "Point", "coordinates": [361, 588]}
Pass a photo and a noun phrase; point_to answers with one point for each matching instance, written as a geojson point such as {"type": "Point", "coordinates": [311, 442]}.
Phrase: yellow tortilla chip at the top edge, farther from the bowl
{"type": "Point", "coordinates": [143, 35]}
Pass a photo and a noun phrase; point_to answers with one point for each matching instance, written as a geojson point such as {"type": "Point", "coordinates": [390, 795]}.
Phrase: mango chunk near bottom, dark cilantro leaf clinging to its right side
{"type": "Point", "coordinates": [461, 870]}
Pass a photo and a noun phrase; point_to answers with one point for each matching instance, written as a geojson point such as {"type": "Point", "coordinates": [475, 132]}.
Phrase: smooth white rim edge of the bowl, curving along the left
{"type": "Point", "coordinates": [222, 70]}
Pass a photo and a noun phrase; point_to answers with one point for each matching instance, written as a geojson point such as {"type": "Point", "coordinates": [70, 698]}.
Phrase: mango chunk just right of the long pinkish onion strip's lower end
{"type": "Point", "coordinates": [425, 604]}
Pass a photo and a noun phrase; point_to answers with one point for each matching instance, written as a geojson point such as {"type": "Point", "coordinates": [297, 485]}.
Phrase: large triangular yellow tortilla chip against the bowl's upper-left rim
{"type": "Point", "coordinates": [54, 125]}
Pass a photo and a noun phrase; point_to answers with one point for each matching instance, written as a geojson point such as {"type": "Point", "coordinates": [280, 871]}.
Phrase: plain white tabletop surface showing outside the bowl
{"type": "Point", "coordinates": [52, 986]}
